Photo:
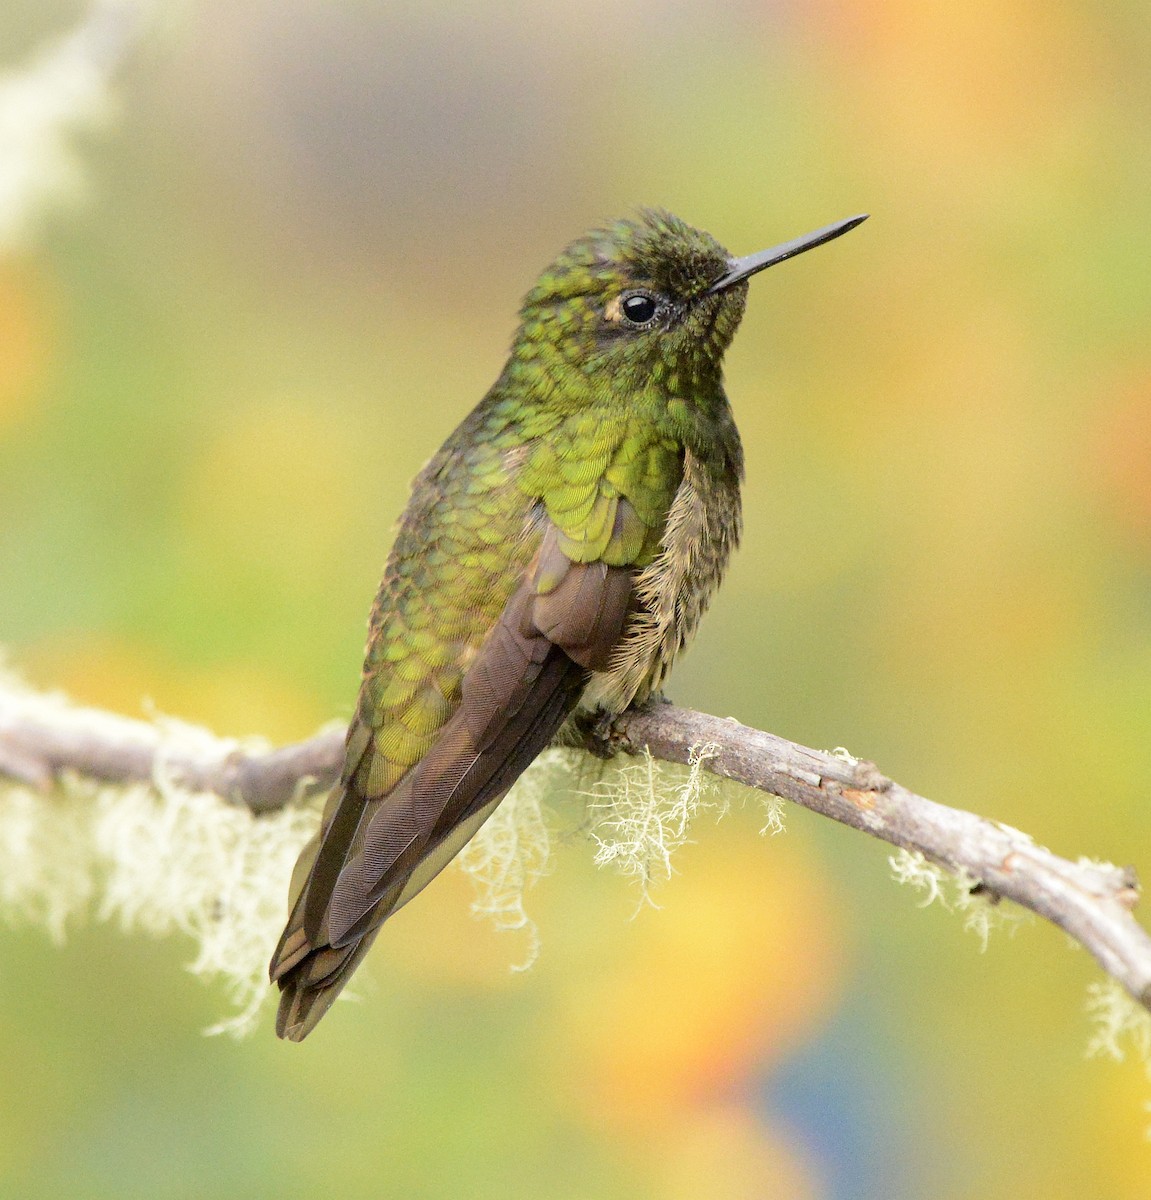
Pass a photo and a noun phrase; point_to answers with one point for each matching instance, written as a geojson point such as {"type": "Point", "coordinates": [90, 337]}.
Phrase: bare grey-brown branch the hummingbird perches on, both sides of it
{"type": "Point", "coordinates": [43, 736]}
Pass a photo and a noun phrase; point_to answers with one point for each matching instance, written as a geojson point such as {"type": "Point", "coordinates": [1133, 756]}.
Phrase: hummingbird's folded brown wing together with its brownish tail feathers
{"type": "Point", "coordinates": [561, 623]}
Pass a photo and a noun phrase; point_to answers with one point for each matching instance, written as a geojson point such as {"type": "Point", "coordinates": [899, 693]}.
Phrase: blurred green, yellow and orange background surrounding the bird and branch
{"type": "Point", "coordinates": [292, 263]}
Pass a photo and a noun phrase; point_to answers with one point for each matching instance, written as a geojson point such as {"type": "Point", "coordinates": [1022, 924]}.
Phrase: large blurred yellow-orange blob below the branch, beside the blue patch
{"type": "Point", "coordinates": [744, 961]}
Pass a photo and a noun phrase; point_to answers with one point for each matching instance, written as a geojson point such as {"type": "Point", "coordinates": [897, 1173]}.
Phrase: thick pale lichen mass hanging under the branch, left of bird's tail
{"type": "Point", "coordinates": [157, 861]}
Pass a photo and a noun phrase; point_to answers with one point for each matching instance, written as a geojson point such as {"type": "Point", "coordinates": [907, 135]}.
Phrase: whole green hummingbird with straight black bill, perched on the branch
{"type": "Point", "coordinates": [556, 555]}
